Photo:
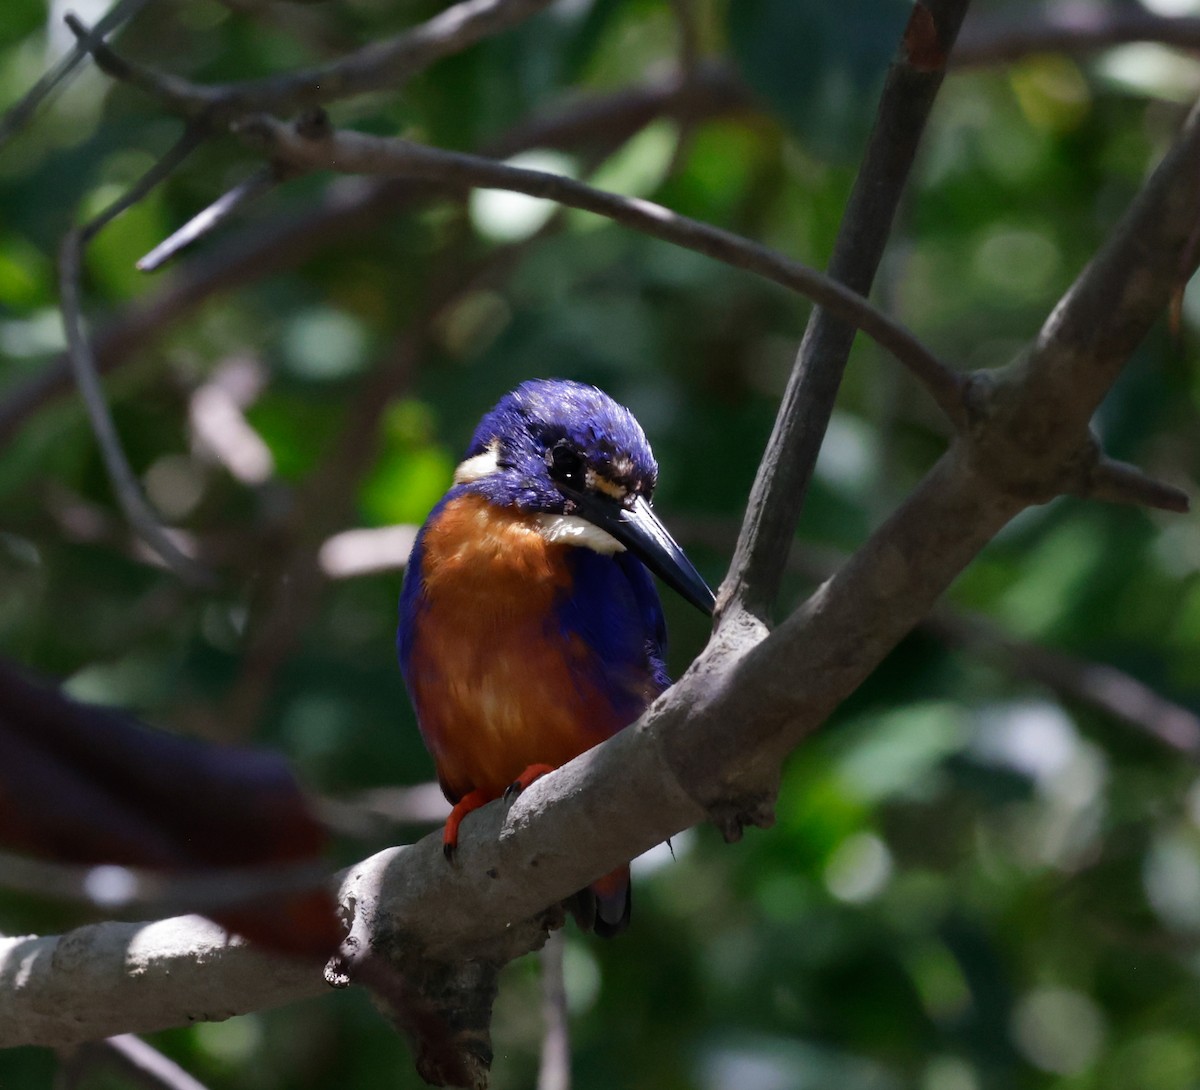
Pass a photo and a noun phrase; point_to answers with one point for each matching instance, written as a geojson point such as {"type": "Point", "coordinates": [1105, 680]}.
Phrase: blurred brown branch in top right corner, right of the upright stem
{"type": "Point", "coordinates": [1075, 31]}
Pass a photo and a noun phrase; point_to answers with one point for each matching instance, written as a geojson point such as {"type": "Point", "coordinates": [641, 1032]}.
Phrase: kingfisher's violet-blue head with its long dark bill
{"type": "Point", "coordinates": [561, 448]}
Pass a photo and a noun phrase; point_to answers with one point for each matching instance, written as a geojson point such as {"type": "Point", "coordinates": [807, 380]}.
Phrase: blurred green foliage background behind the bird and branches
{"type": "Point", "coordinates": [976, 882]}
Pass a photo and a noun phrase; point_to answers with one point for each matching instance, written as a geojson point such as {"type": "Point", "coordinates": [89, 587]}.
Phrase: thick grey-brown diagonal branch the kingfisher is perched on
{"type": "Point", "coordinates": [712, 746]}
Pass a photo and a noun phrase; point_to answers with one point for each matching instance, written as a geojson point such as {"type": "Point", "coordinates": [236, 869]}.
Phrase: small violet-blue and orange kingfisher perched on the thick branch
{"type": "Point", "coordinates": [530, 626]}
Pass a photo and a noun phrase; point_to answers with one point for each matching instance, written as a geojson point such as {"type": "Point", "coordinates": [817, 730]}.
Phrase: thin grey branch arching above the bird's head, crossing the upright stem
{"type": "Point", "coordinates": [359, 153]}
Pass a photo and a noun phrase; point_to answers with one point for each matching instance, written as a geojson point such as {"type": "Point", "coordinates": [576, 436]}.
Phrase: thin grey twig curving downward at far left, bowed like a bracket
{"type": "Point", "coordinates": [83, 366]}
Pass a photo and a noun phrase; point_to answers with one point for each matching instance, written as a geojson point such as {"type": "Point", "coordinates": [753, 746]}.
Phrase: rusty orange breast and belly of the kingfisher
{"type": "Point", "coordinates": [497, 684]}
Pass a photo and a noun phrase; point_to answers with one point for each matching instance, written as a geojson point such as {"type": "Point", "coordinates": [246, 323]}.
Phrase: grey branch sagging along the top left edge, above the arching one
{"type": "Point", "coordinates": [386, 64]}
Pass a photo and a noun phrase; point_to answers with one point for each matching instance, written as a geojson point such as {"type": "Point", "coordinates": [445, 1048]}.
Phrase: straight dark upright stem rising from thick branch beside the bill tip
{"type": "Point", "coordinates": [787, 469]}
